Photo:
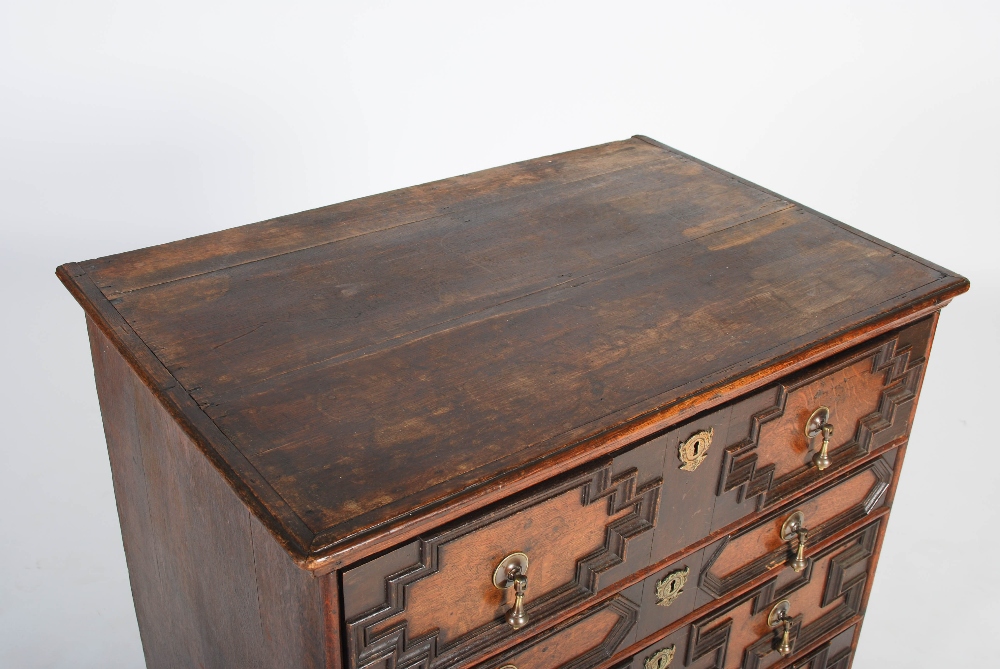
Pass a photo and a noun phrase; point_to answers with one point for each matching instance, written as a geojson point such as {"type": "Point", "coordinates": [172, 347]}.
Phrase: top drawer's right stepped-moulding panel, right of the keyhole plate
{"type": "Point", "coordinates": [870, 392]}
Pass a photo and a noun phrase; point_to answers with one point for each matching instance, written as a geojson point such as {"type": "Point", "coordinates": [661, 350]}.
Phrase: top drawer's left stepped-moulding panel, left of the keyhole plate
{"type": "Point", "coordinates": [433, 602]}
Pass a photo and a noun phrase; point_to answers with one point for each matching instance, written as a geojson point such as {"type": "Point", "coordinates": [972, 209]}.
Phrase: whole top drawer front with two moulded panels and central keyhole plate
{"type": "Point", "coordinates": [433, 602]}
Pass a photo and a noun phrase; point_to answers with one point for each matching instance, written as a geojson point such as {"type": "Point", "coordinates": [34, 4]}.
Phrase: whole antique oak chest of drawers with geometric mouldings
{"type": "Point", "coordinates": [609, 408]}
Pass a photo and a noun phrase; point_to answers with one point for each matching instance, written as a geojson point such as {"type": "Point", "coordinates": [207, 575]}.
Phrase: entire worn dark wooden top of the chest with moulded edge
{"type": "Point", "coordinates": [360, 371]}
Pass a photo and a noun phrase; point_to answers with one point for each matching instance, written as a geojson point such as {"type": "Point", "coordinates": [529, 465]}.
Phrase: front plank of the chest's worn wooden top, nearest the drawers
{"type": "Point", "coordinates": [341, 438]}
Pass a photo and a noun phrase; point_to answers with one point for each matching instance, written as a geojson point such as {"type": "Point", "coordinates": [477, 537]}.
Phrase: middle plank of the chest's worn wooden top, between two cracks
{"type": "Point", "coordinates": [342, 299]}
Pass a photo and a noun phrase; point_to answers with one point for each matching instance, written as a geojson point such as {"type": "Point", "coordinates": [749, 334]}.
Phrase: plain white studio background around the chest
{"type": "Point", "coordinates": [126, 124]}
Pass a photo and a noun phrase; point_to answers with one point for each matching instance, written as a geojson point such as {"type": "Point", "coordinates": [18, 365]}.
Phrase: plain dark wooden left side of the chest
{"type": "Point", "coordinates": [211, 588]}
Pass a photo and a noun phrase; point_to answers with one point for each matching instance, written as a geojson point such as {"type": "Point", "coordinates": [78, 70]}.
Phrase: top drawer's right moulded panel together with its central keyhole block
{"type": "Point", "coordinates": [752, 454]}
